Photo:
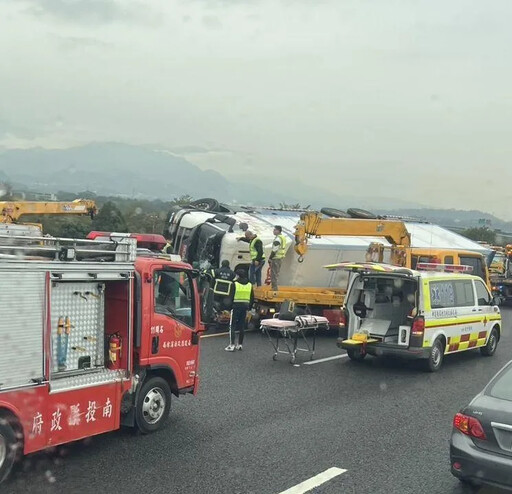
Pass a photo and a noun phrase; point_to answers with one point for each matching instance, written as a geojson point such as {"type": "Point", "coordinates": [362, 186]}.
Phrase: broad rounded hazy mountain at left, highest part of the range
{"type": "Point", "coordinates": [108, 169]}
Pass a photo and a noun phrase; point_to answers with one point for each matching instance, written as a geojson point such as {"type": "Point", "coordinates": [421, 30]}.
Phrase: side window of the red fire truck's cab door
{"type": "Point", "coordinates": [174, 295]}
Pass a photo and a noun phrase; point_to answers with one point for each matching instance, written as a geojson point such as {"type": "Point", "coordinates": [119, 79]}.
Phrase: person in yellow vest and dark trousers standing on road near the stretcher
{"type": "Point", "coordinates": [243, 299]}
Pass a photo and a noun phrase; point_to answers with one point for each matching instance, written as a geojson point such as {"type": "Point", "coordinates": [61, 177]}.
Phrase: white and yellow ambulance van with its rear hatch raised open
{"type": "Point", "coordinates": [426, 313]}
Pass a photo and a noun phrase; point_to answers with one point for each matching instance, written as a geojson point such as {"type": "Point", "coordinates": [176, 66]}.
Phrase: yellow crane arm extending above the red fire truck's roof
{"type": "Point", "coordinates": [10, 212]}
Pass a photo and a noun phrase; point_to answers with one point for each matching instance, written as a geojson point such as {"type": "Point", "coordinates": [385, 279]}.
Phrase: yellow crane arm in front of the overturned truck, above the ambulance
{"type": "Point", "coordinates": [312, 224]}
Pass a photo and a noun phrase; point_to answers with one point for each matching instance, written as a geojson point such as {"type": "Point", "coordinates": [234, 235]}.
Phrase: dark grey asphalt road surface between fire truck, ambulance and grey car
{"type": "Point", "coordinates": [259, 426]}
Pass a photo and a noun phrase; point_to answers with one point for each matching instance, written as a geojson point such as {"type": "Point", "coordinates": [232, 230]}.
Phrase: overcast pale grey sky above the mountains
{"type": "Point", "coordinates": [393, 97]}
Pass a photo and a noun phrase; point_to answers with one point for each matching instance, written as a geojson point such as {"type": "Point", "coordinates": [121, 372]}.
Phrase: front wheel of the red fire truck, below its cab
{"type": "Point", "coordinates": [153, 405]}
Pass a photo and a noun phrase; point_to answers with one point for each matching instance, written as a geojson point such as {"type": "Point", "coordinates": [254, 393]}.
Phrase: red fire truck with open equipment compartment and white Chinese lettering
{"type": "Point", "coordinates": [92, 337]}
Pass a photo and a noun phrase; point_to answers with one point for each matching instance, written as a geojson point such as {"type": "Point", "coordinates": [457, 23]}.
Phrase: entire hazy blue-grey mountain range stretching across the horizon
{"type": "Point", "coordinates": [114, 169]}
